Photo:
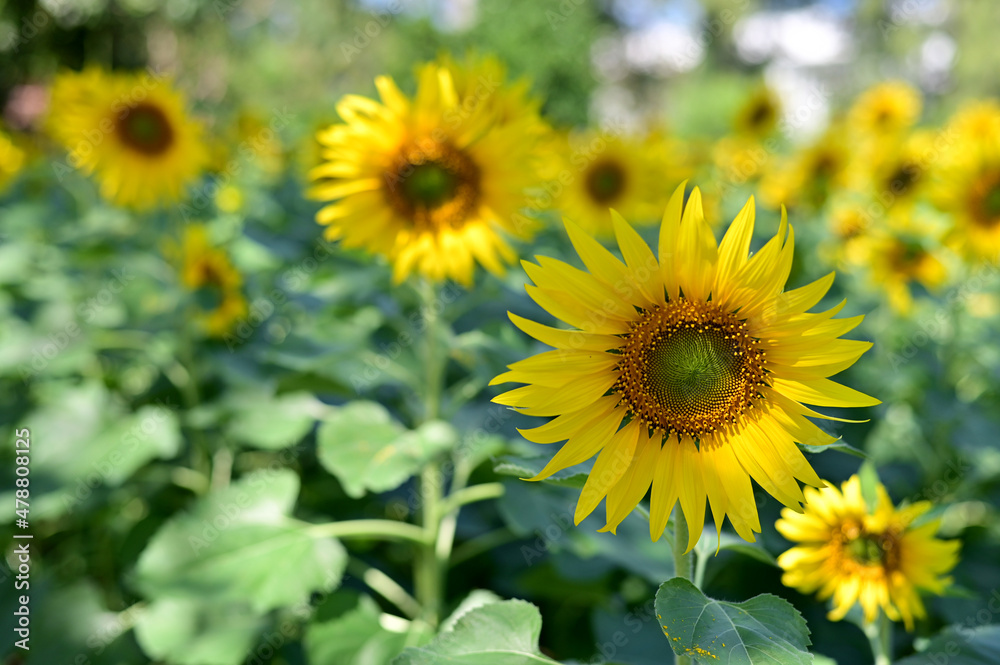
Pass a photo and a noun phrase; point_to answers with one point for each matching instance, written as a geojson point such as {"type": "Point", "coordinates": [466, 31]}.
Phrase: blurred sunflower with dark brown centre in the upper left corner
{"type": "Point", "coordinates": [131, 131]}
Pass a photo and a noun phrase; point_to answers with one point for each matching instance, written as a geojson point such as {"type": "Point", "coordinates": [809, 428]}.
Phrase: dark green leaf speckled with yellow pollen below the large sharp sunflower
{"type": "Point", "coordinates": [764, 629]}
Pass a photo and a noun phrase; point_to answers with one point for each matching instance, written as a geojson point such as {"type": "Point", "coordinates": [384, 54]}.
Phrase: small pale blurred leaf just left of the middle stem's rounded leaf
{"type": "Point", "coordinates": [273, 423]}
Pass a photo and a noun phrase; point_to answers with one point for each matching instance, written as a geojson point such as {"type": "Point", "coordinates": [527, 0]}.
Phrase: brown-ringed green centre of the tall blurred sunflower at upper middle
{"type": "Point", "coordinates": [433, 185]}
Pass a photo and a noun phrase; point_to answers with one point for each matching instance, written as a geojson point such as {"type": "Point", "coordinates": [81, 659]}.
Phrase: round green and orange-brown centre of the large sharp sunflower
{"type": "Point", "coordinates": [689, 368]}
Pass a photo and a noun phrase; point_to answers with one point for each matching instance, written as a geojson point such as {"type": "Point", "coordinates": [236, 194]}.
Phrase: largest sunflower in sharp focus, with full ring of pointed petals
{"type": "Point", "coordinates": [686, 373]}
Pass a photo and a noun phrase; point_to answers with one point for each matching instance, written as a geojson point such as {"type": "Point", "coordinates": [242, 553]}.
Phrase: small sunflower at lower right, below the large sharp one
{"type": "Point", "coordinates": [879, 558]}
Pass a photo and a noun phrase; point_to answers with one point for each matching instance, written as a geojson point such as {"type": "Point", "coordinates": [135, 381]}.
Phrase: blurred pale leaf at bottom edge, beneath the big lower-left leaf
{"type": "Point", "coordinates": [195, 631]}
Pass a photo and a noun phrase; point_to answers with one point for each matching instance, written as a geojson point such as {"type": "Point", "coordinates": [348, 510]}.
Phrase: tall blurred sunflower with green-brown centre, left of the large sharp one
{"type": "Point", "coordinates": [431, 182]}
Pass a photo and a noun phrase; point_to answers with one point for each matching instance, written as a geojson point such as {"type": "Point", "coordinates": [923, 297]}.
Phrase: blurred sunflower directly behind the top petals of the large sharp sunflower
{"type": "Point", "coordinates": [611, 171]}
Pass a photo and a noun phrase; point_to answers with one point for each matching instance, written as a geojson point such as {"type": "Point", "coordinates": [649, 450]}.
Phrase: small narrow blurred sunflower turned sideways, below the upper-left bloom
{"type": "Point", "coordinates": [208, 273]}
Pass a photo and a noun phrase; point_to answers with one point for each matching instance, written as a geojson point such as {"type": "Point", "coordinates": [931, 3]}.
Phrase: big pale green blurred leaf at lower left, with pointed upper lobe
{"type": "Point", "coordinates": [238, 547]}
